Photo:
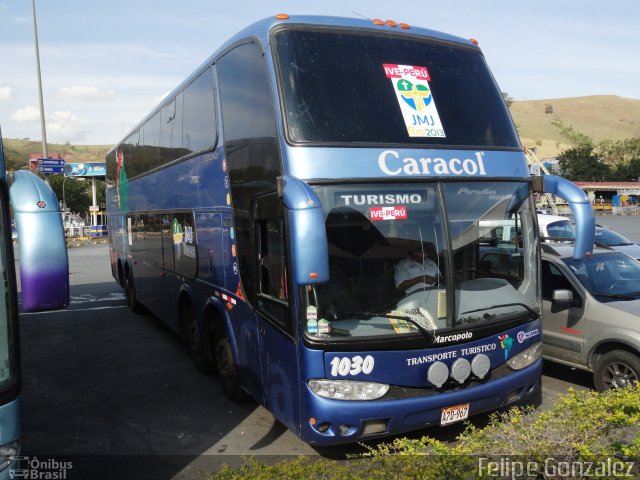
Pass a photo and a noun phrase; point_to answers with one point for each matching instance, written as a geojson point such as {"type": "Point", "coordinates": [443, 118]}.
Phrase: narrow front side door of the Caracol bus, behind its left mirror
{"type": "Point", "coordinates": [276, 329]}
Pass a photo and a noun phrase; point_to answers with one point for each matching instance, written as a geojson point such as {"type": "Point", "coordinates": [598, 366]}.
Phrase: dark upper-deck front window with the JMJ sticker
{"type": "Point", "coordinates": [338, 87]}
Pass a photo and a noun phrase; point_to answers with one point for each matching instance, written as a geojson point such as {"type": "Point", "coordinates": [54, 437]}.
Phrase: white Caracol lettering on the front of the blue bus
{"type": "Point", "coordinates": [391, 164]}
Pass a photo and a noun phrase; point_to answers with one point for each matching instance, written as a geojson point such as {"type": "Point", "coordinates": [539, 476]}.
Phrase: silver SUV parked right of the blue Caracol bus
{"type": "Point", "coordinates": [591, 313]}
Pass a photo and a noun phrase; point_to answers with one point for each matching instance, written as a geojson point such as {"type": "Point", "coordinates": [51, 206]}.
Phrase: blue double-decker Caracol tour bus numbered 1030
{"type": "Point", "coordinates": [270, 208]}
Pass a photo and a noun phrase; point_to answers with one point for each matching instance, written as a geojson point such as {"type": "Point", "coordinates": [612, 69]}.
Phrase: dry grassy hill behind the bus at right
{"type": "Point", "coordinates": [602, 117]}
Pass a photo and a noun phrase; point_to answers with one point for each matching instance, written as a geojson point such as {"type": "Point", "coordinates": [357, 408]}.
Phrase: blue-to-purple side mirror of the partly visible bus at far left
{"type": "Point", "coordinates": [42, 247]}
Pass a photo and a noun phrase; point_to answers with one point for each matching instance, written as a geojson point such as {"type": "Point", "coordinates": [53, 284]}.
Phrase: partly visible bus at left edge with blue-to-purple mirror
{"type": "Point", "coordinates": [44, 278]}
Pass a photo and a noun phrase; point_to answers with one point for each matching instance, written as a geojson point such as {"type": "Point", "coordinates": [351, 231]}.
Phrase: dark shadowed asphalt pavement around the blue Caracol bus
{"type": "Point", "coordinates": [117, 392]}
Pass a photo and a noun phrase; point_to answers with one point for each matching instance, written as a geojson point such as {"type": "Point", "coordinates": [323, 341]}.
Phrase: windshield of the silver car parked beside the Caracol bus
{"type": "Point", "coordinates": [607, 274]}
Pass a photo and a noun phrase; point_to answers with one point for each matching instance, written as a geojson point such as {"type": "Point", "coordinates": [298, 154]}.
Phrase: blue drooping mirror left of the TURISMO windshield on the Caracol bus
{"type": "Point", "coordinates": [309, 249]}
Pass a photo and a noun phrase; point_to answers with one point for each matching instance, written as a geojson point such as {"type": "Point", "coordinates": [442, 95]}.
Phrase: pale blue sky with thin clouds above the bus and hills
{"type": "Point", "coordinates": [106, 64]}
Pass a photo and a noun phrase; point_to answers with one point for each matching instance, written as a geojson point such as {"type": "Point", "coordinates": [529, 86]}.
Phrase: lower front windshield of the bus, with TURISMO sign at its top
{"type": "Point", "coordinates": [397, 266]}
